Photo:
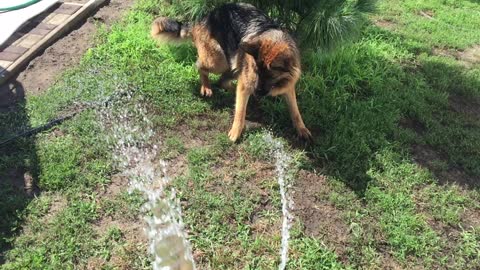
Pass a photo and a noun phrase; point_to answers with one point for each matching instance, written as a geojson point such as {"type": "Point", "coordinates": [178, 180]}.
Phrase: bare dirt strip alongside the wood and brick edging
{"type": "Point", "coordinates": [65, 53]}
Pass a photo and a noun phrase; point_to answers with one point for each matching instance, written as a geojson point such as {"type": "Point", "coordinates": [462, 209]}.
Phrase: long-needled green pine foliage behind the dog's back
{"type": "Point", "coordinates": [318, 24]}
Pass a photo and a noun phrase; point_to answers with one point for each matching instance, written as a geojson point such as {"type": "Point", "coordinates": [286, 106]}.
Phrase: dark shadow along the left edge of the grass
{"type": "Point", "coordinates": [18, 162]}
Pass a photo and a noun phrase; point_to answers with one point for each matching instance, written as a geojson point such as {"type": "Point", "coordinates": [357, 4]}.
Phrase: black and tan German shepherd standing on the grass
{"type": "Point", "coordinates": [240, 42]}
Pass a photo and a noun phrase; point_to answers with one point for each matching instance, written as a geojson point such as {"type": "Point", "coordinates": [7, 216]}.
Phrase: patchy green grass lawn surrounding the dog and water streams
{"type": "Point", "coordinates": [391, 180]}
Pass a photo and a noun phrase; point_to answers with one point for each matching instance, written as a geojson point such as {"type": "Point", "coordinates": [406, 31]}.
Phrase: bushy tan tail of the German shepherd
{"type": "Point", "coordinates": [168, 30]}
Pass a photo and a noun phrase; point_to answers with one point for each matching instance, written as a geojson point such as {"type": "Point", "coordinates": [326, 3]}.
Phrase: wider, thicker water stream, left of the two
{"type": "Point", "coordinates": [132, 136]}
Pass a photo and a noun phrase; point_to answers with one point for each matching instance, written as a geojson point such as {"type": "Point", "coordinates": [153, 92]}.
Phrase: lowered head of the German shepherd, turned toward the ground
{"type": "Point", "coordinates": [278, 63]}
